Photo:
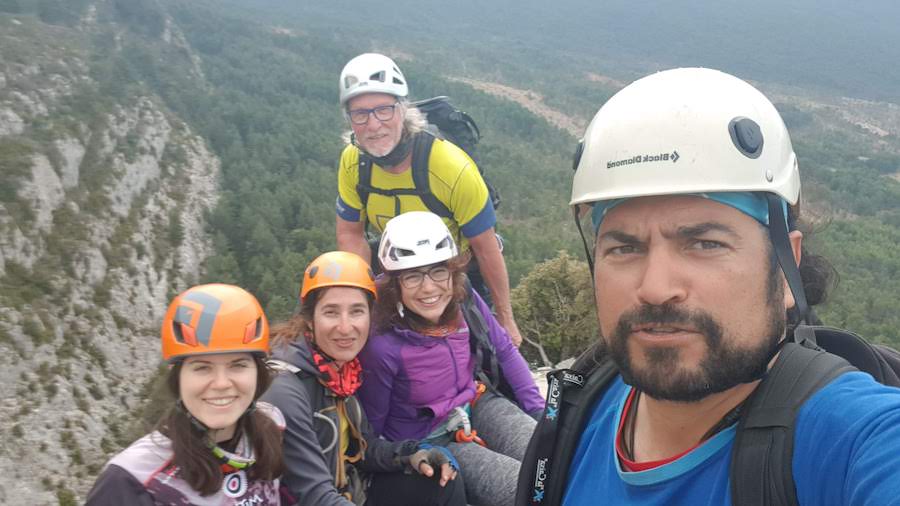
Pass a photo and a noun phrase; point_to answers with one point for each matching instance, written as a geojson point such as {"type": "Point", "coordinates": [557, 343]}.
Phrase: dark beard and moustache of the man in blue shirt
{"type": "Point", "coordinates": [724, 366]}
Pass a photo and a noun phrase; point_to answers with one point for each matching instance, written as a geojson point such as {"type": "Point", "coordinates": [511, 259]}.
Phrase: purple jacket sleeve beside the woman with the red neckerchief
{"type": "Point", "coordinates": [379, 367]}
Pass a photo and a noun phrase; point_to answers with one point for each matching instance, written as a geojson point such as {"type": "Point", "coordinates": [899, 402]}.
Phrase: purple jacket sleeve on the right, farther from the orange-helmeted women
{"type": "Point", "coordinates": [514, 367]}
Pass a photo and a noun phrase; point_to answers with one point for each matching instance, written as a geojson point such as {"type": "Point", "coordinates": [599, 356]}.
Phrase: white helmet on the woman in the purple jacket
{"type": "Point", "coordinates": [415, 239]}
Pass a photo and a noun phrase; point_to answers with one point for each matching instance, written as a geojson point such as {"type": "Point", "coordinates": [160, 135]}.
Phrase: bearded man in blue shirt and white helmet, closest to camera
{"type": "Point", "coordinates": [691, 182]}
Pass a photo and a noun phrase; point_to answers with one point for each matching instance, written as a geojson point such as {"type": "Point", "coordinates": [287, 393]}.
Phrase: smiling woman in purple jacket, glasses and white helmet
{"type": "Point", "coordinates": [419, 371]}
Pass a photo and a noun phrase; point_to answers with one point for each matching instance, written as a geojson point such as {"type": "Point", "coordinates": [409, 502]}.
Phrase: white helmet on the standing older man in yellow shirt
{"type": "Point", "coordinates": [371, 73]}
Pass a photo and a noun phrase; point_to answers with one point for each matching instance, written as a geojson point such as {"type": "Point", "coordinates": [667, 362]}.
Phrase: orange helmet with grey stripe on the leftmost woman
{"type": "Point", "coordinates": [214, 318]}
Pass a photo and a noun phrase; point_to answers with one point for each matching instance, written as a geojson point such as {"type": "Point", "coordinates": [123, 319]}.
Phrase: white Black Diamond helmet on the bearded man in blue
{"type": "Point", "coordinates": [689, 130]}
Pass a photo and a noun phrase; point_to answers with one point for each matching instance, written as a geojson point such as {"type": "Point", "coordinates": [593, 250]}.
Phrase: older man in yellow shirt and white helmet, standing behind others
{"type": "Point", "coordinates": [386, 131]}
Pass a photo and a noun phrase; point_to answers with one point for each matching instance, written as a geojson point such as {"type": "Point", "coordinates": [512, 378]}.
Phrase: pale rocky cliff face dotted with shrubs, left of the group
{"type": "Point", "coordinates": [101, 222]}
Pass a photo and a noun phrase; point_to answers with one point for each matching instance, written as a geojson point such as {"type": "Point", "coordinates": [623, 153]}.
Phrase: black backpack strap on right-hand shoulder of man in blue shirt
{"type": "Point", "coordinates": [761, 463]}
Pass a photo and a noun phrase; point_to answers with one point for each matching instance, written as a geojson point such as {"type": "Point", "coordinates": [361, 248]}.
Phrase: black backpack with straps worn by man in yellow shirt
{"type": "Point", "coordinates": [445, 122]}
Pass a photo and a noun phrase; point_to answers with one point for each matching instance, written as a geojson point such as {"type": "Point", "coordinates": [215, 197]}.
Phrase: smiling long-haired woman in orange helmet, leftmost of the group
{"type": "Point", "coordinates": [217, 444]}
